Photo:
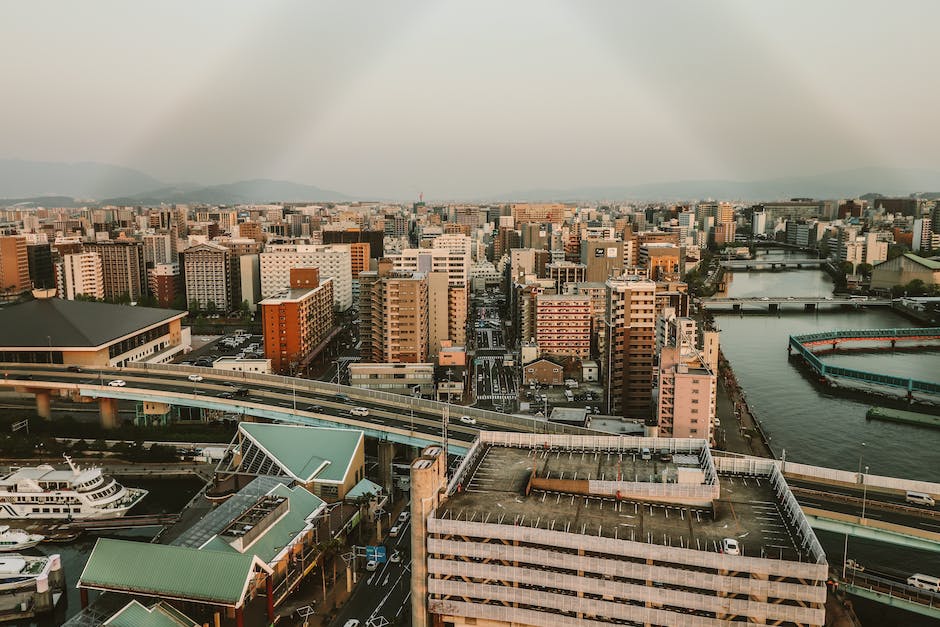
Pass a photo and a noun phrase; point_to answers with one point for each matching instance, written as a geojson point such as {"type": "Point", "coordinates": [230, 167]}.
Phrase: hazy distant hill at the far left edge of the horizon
{"type": "Point", "coordinates": [30, 179]}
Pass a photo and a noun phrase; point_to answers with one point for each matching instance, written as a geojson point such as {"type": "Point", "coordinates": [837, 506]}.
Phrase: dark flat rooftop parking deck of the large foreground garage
{"type": "Point", "coordinates": [493, 491]}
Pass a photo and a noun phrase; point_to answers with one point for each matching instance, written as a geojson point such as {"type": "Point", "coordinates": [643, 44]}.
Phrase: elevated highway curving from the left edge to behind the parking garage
{"type": "Point", "coordinates": [391, 417]}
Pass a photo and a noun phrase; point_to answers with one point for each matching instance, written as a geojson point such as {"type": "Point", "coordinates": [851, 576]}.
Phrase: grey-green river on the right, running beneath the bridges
{"type": "Point", "coordinates": [817, 426]}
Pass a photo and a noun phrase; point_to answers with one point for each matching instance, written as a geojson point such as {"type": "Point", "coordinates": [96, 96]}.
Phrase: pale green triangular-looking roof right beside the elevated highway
{"type": "Point", "coordinates": [306, 453]}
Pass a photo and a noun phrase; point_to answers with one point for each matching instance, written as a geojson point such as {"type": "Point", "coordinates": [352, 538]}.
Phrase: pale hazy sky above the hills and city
{"type": "Point", "coordinates": [463, 98]}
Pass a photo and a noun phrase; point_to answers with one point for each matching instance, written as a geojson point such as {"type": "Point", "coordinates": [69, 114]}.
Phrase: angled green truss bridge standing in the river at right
{"type": "Point", "coordinates": [802, 345]}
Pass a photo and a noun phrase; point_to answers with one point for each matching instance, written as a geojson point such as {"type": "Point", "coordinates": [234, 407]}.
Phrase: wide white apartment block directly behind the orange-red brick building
{"type": "Point", "coordinates": [333, 262]}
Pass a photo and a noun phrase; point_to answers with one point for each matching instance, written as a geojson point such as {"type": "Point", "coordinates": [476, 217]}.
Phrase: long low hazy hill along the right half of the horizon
{"type": "Point", "coordinates": [845, 184]}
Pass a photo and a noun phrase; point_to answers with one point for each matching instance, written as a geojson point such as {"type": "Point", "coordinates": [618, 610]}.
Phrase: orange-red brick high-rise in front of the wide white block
{"type": "Point", "coordinates": [297, 320]}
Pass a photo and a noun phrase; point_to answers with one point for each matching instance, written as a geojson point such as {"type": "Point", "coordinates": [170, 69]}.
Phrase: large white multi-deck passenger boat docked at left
{"type": "Point", "coordinates": [42, 492]}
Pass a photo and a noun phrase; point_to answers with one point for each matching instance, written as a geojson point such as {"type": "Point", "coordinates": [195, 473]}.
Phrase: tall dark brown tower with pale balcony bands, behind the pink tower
{"type": "Point", "coordinates": [630, 346]}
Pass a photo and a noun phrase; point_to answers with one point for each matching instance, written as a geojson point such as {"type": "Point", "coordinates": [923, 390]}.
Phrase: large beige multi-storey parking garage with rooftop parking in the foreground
{"type": "Point", "coordinates": [540, 539]}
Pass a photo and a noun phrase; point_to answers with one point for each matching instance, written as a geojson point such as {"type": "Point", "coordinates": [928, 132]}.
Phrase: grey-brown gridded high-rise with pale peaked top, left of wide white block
{"type": "Point", "coordinates": [207, 271]}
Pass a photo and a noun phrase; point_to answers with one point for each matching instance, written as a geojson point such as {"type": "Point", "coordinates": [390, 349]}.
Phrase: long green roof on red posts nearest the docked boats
{"type": "Point", "coordinates": [171, 572]}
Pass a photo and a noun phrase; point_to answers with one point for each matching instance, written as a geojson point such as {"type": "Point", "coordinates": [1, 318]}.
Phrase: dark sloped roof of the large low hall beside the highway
{"type": "Point", "coordinates": [73, 323]}
